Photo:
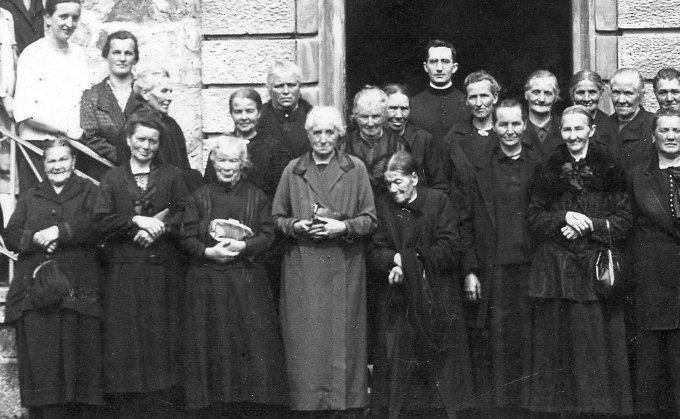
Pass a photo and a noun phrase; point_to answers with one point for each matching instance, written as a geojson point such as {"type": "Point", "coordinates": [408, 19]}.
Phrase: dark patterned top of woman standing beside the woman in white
{"type": "Point", "coordinates": [102, 120]}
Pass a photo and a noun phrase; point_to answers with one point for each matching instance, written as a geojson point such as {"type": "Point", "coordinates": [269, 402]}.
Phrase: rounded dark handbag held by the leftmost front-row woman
{"type": "Point", "coordinates": [49, 284]}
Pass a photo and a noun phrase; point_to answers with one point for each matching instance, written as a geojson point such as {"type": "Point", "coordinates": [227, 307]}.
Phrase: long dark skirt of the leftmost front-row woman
{"type": "Point", "coordinates": [59, 358]}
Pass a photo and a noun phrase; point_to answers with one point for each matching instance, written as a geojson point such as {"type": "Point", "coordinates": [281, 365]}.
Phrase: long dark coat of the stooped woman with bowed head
{"type": "Point", "coordinates": [434, 236]}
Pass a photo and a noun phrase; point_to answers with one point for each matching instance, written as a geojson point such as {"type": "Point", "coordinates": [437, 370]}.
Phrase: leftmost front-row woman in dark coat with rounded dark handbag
{"type": "Point", "coordinates": [56, 305]}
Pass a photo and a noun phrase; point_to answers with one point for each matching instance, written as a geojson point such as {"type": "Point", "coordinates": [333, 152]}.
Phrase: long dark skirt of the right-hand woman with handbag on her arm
{"type": "Point", "coordinates": [579, 360]}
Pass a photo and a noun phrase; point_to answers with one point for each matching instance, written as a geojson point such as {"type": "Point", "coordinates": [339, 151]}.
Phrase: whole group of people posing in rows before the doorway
{"type": "Point", "coordinates": [437, 254]}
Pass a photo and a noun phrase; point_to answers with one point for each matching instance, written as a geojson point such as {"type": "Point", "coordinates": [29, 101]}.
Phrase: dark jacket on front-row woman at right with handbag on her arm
{"type": "Point", "coordinates": [564, 268]}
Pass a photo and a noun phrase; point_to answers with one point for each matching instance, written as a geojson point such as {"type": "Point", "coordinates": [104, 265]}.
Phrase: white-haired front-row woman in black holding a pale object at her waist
{"type": "Point", "coordinates": [234, 355]}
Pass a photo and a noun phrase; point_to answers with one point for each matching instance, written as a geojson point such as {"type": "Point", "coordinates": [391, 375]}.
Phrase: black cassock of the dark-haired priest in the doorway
{"type": "Point", "coordinates": [436, 111]}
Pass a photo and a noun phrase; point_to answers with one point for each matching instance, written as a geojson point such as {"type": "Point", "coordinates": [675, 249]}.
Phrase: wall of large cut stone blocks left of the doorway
{"type": "Point", "coordinates": [241, 38]}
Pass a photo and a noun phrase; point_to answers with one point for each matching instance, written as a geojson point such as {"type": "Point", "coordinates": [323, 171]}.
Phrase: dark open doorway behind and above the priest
{"type": "Point", "coordinates": [509, 39]}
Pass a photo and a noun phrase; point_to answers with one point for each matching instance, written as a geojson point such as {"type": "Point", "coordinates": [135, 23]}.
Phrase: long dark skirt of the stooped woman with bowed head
{"type": "Point", "coordinates": [408, 378]}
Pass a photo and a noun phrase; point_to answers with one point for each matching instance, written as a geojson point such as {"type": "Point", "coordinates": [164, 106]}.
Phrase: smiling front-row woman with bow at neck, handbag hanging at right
{"type": "Point", "coordinates": [579, 208]}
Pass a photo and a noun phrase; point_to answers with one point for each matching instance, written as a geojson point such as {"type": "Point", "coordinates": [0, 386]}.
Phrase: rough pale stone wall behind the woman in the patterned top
{"type": "Point", "coordinates": [169, 36]}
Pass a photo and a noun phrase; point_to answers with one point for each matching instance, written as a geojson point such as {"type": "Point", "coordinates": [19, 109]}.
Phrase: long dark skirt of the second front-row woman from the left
{"type": "Point", "coordinates": [141, 332]}
